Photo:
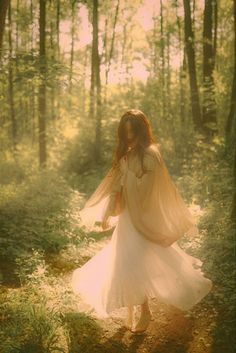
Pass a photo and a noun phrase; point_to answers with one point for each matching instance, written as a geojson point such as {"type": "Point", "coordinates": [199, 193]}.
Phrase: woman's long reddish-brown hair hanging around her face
{"type": "Point", "coordinates": [142, 130]}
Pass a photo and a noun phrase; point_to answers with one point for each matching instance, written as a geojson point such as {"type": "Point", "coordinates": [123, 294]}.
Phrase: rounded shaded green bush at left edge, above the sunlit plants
{"type": "Point", "coordinates": [36, 209]}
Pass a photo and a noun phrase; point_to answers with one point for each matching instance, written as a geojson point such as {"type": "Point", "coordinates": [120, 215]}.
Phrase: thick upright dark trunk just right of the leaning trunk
{"type": "Point", "coordinates": [209, 104]}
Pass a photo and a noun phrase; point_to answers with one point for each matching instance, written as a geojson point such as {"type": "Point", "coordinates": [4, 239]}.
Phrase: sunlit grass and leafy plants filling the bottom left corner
{"type": "Point", "coordinates": [41, 316]}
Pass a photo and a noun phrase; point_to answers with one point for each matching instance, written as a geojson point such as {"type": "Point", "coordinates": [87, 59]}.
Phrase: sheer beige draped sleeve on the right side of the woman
{"type": "Point", "coordinates": [156, 207]}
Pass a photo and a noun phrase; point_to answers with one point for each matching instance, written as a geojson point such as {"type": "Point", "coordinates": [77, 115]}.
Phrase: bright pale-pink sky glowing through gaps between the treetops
{"type": "Point", "coordinates": [143, 20]}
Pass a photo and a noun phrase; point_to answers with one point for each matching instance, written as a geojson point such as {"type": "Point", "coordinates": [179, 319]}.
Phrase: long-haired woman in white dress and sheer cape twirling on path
{"type": "Point", "coordinates": [142, 260]}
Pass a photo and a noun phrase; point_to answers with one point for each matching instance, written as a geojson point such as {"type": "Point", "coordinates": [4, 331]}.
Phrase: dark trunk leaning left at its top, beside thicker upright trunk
{"type": "Point", "coordinates": [189, 43]}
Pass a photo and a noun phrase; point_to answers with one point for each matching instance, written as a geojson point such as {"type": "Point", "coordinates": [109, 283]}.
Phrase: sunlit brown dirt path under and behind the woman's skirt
{"type": "Point", "coordinates": [170, 331]}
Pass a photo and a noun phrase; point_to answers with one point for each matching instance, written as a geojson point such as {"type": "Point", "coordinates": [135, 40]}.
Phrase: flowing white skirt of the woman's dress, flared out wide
{"type": "Point", "coordinates": [130, 267]}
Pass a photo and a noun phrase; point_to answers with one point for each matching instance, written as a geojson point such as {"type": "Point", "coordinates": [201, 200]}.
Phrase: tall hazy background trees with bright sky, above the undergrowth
{"type": "Point", "coordinates": [89, 61]}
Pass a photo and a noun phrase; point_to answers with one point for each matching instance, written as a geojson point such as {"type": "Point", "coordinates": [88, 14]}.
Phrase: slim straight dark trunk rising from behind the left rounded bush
{"type": "Point", "coordinates": [42, 86]}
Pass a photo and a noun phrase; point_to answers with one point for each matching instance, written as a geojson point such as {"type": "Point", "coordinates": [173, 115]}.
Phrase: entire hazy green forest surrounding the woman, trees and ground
{"type": "Point", "coordinates": [68, 70]}
